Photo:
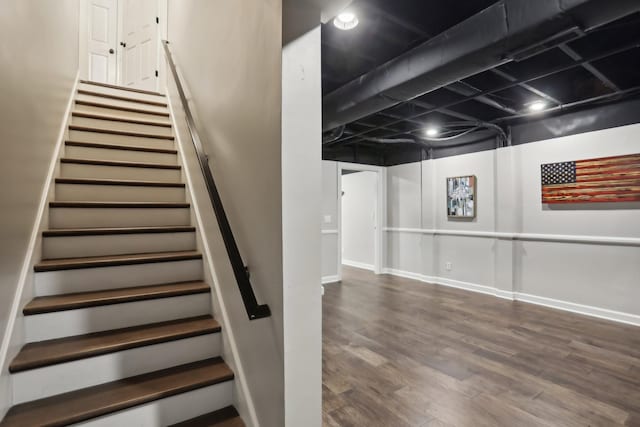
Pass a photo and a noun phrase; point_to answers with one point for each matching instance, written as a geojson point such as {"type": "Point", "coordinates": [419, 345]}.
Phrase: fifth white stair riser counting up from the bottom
{"type": "Point", "coordinates": [118, 244]}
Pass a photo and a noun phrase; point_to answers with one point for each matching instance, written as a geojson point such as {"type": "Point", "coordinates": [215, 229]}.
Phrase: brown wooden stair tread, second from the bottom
{"type": "Point", "coordinates": [88, 403]}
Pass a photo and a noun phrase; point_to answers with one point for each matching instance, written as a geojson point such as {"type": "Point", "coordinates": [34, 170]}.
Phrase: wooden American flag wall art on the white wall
{"type": "Point", "coordinates": [607, 179]}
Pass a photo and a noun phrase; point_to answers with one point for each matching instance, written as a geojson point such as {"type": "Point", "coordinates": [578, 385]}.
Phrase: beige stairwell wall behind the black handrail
{"type": "Point", "coordinates": [230, 55]}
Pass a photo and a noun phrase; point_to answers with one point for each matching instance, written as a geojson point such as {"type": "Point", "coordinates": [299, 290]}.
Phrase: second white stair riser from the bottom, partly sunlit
{"type": "Point", "coordinates": [56, 379]}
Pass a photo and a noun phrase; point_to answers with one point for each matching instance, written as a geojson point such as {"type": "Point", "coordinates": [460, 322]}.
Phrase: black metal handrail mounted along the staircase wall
{"type": "Point", "coordinates": [240, 271]}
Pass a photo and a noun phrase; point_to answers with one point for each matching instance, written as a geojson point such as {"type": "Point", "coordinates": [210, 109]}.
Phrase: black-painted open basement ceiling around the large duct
{"type": "Point", "coordinates": [390, 28]}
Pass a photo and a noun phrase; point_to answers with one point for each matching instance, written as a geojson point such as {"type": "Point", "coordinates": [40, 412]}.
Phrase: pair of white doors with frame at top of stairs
{"type": "Point", "coordinates": [120, 42]}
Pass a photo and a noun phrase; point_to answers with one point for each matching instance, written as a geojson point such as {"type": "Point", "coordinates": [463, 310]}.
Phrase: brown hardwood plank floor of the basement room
{"type": "Point", "coordinates": [403, 353]}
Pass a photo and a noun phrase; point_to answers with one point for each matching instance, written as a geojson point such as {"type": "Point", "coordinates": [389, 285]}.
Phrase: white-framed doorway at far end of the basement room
{"type": "Point", "coordinates": [360, 202]}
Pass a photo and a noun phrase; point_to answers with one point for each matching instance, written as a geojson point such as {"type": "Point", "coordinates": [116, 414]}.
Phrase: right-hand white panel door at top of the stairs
{"type": "Point", "coordinates": [141, 38]}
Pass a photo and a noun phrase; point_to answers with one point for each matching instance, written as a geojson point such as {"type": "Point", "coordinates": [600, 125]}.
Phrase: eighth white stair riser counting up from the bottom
{"type": "Point", "coordinates": [74, 170]}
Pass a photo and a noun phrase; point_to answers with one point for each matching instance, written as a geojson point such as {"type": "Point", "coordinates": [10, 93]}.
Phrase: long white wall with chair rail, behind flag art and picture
{"type": "Point", "coordinates": [567, 257]}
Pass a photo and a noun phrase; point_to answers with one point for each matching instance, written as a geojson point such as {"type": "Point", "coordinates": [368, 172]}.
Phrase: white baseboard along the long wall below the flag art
{"type": "Point", "coordinates": [601, 313]}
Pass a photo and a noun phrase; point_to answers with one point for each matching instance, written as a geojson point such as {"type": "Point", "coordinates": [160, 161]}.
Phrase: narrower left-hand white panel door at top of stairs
{"type": "Point", "coordinates": [102, 29]}
